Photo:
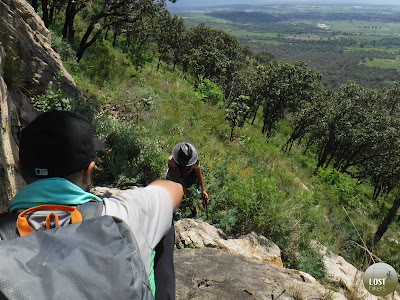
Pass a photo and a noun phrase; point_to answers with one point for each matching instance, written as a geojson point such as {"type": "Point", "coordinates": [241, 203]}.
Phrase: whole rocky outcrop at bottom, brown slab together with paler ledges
{"type": "Point", "coordinates": [209, 265]}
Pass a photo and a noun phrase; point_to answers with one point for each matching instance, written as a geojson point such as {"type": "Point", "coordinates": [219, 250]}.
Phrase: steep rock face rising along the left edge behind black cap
{"type": "Point", "coordinates": [27, 65]}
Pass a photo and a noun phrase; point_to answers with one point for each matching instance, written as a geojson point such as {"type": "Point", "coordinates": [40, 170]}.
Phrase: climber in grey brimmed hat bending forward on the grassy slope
{"type": "Point", "coordinates": [184, 168]}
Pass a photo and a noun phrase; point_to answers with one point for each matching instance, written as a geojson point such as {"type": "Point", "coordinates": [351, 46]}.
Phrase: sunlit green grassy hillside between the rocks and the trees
{"type": "Point", "coordinates": [252, 183]}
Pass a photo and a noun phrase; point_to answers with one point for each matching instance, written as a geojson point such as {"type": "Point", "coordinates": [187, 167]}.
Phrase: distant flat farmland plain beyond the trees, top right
{"type": "Point", "coordinates": [341, 42]}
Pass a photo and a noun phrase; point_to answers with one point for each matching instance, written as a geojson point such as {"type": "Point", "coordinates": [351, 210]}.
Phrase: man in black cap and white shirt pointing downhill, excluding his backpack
{"type": "Point", "coordinates": [56, 159]}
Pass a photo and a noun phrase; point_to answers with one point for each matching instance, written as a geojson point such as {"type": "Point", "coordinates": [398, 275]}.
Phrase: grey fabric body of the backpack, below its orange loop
{"type": "Point", "coordinates": [97, 258]}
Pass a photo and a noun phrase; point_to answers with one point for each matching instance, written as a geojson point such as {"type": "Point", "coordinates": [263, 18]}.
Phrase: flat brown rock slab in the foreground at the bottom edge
{"type": "Point", "coordinates": [211, 273]}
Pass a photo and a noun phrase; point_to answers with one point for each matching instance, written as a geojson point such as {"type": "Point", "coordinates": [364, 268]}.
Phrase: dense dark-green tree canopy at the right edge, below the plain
{"type": "Point", "coordinates": [355, 127]}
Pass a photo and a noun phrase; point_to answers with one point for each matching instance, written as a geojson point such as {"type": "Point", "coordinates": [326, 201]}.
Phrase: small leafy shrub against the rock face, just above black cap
{"type": "Point", "coordinates": [53, 99]}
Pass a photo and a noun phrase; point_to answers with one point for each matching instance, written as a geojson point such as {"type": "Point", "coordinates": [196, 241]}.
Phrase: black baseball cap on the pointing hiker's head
{"type": "Point", "coordinates": [57, 144]}
